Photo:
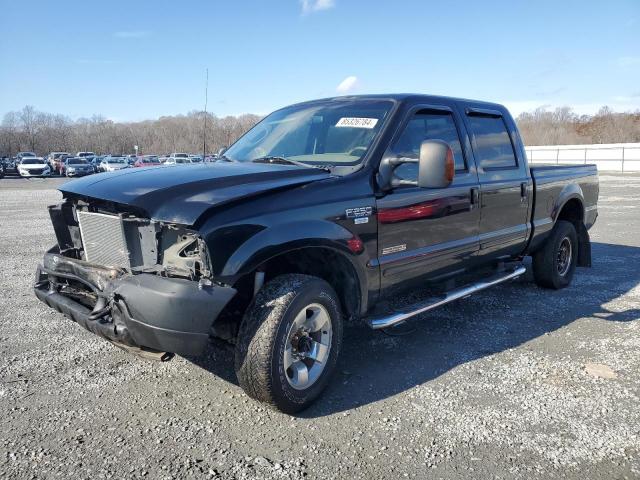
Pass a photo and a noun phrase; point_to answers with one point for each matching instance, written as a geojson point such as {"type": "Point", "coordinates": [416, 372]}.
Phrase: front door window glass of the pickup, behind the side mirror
{"type": "Point", "coordinates": [426, 126]}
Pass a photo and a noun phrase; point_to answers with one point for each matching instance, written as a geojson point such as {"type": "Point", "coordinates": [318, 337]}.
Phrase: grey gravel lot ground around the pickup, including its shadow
{"type": "Point", "coordinates": [499, 385]}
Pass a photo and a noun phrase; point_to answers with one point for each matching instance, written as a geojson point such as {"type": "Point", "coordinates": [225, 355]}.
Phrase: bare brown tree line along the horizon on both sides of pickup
{"type": "Point", "coordinates": [41, 132]}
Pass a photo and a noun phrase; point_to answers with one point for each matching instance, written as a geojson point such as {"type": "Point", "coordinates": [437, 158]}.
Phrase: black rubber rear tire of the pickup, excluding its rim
{"type": "Point", "coordinates": [545, 261]}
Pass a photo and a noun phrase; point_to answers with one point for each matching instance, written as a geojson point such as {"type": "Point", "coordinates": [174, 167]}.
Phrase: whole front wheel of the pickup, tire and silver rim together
{"type": "Point", "coordinates": [289, 342]}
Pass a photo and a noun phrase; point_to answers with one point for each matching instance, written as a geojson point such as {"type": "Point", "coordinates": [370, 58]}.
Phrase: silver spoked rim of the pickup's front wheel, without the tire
{"type": "Point", "coordinates": [308, 346]}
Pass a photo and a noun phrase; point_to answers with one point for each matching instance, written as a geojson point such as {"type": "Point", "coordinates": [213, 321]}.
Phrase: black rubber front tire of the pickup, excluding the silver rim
{"type": "Point", "coordinates": [262, 337]}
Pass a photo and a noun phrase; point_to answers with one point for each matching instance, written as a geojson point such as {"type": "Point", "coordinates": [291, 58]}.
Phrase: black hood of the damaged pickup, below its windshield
{"type": "Point", "coordinates": [182, 193]}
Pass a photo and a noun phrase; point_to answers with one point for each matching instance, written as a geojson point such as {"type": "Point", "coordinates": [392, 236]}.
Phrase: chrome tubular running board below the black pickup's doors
{"type": "Point", "coordinates": [399, 317]}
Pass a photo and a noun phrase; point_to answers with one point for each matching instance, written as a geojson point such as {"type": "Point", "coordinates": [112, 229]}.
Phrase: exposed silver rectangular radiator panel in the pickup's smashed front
{"type": "Point", "coordinates": [103, 239]}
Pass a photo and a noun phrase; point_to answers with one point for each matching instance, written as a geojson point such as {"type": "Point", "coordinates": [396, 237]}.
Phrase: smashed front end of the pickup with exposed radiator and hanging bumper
{"type": "Point", "coordinates": [142, 284]}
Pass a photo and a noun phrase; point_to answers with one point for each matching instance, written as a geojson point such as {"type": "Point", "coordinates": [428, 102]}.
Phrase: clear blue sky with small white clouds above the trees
{"type": "Point", "coordinates": [134, 60]}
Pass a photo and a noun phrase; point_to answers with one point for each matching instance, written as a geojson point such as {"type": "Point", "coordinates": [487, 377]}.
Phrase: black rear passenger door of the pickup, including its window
{"type": "Point", "coordinates": [504, 182]}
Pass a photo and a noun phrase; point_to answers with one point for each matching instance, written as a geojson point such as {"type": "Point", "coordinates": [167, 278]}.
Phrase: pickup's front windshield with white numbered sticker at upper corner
{"type": "Point", "coordinates": [322, 133]}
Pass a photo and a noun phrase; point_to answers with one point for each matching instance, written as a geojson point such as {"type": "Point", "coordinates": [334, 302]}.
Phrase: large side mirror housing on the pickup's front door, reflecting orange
{"type": "Point", "coordinates": [436, 167]}
